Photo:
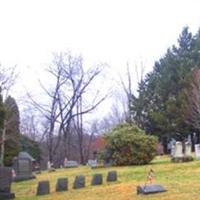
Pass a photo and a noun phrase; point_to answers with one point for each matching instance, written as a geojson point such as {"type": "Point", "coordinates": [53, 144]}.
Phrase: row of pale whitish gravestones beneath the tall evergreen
{"type": "Point", "coordinates": [177, 150]}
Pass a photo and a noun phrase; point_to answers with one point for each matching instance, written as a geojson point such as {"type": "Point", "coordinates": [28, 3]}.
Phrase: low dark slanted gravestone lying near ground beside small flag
{"type": "Point", "coordinates": [150, 189]}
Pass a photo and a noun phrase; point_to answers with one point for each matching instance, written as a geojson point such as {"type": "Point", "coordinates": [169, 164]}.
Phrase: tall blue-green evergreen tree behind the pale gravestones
{"type": "Point", "coordinates": [162, 102]}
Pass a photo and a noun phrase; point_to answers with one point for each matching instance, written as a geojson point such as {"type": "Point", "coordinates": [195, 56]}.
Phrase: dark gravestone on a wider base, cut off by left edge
{"type": "Point", "coordinates": [5, 183]}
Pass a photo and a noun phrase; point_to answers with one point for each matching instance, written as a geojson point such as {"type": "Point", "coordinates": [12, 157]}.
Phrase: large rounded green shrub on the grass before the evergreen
{"type": "Point", "coordinates": [129, 145]}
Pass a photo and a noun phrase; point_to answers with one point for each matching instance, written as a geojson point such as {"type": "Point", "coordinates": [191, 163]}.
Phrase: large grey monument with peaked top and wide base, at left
{"type": "Point", "coordinates": [23, 167]}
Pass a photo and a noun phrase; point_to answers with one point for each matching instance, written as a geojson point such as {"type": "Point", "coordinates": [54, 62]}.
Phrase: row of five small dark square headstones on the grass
{"type": "Point", "coordinates": [79, 182]}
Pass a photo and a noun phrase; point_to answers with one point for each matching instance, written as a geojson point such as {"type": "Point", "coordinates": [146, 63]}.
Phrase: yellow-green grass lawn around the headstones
{"type": "Point", "coordinates": [182, 180]}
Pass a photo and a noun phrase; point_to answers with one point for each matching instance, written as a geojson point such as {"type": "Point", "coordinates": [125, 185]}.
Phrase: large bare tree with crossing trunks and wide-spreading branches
{"type": "Point", "coordinates": [70, 88]}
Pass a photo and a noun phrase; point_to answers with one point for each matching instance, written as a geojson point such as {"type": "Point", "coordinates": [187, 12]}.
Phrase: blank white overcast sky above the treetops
{"type": "Point", "coordinates": [112, 31]}
